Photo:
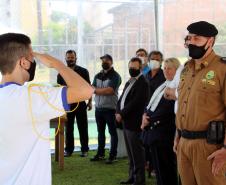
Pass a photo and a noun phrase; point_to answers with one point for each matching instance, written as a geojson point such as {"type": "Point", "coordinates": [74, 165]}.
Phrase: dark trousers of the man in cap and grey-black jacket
{"type": "Point", "coordinates": [103, 118]}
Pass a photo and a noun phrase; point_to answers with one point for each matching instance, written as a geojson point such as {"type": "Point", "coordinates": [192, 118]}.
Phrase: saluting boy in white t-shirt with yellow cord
{"type": "Point", "coordinates": [25, 111]}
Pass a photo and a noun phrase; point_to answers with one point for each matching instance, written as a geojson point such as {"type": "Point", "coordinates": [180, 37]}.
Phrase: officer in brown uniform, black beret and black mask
{"type": "Point", "coordinates": [200, 138]}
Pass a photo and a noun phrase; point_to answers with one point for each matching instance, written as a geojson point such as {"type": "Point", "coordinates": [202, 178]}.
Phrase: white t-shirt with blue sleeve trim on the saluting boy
{"type": "Point", "coordinates": [24, 156]}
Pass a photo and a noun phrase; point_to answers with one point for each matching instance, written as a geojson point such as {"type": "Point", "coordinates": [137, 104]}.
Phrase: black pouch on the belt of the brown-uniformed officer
{"type": "Point", "coordinates": [216, 132]}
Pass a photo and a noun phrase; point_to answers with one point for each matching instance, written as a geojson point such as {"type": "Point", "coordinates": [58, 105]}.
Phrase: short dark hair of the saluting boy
{"type": "Point", "coordinates": [13, 46]}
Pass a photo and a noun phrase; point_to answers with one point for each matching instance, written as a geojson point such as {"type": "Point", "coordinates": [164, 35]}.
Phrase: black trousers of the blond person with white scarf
{"type": "Point", "coordinates": [164, 162]}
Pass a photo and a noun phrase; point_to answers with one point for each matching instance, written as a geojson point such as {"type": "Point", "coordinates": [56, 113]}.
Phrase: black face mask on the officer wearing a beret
{"type": "Point", "coordinates": [197, 52]}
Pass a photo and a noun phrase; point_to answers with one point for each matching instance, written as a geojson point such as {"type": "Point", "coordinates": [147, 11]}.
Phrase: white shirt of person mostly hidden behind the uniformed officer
{"type": "Point", "coordinates": [174, 84]}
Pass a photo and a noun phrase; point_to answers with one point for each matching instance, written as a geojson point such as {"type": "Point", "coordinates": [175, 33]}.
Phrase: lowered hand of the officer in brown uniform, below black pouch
{"type": "Point", "coordinates": [219, 159]}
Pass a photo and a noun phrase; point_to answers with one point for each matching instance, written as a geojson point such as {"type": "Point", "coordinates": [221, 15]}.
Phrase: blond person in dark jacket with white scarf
{"type": "Point", "coordinates": [158, 125]}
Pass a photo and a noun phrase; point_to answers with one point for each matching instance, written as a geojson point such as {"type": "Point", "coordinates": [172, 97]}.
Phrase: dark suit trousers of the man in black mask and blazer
{"type": "Point", "coordinates": [136, 155]}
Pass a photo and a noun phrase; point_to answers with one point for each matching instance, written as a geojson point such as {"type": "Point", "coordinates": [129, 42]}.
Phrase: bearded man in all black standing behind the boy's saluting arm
{"type": "Point", "coordinates": [80, 113]}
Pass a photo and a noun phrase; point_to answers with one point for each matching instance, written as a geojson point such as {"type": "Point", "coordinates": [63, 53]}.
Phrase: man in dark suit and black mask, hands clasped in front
{"type": "Point", "coordinates": [129, 112]}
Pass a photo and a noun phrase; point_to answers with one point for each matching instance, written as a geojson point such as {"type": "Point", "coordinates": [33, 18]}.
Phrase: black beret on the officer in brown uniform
{"type": "Point", "coordinates": [203, 28]}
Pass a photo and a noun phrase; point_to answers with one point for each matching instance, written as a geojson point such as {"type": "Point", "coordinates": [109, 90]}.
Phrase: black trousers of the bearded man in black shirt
{"type": "Point", "coordinates": [82, 123]}
